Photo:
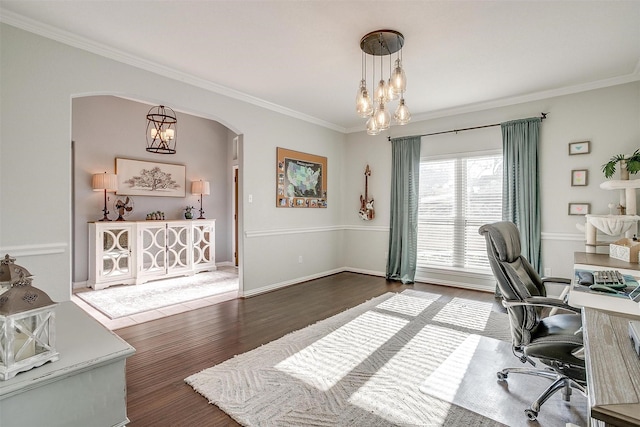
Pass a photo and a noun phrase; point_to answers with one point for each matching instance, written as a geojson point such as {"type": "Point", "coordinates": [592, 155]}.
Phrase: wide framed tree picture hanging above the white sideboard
{"type": "Point", "coordinates": [144, 178]}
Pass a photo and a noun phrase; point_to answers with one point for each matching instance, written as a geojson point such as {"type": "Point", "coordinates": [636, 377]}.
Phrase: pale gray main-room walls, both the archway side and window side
{"type": "Point", "coordinates": [41, 77]}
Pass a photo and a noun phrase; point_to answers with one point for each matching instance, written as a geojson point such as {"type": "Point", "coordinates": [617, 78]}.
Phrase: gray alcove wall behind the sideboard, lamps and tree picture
{"type": "Point", "coordinates": [106, 127]}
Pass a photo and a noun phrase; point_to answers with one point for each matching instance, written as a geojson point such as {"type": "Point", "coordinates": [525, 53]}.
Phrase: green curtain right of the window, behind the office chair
{"type": "Point", "coordinates": [521, 183]}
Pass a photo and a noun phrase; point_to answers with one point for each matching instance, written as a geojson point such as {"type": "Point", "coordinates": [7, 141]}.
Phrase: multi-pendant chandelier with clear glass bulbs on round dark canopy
{"type": "Point", "coordinates": [382, 43]}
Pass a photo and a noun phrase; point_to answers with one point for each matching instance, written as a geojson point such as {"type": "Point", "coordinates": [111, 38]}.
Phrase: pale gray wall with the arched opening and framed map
{"type": "Point", "coordinates": [41, 77]}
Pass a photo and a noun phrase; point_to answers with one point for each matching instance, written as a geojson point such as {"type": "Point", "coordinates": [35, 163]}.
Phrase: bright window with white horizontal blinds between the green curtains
{"type": "Point", "coordinates": [458, 195]}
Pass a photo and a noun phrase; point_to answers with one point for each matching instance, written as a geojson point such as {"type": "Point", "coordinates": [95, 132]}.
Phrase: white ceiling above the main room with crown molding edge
{"type": "Point", "coordinates": [303, 57]}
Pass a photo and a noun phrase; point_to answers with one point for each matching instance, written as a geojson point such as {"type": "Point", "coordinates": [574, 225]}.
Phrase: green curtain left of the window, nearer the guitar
{"type": "Point", "coordinates": [403, 236]}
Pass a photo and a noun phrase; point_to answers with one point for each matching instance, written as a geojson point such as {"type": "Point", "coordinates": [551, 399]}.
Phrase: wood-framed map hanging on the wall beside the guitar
{"type": "Point", "coordinates": [301, 180]}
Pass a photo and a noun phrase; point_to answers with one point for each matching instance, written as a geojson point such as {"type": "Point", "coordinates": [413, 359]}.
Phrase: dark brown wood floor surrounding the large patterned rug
{"type": "Point", "coordinates": [170, 349]}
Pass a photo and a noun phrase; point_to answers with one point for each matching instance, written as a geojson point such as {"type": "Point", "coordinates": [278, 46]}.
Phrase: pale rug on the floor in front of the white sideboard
{"type": "Point", "coordinates": [125, 300]}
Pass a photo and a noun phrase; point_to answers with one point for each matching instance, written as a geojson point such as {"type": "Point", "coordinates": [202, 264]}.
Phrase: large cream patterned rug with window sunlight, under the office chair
{"type": "Point", "coordinates": [364, 367]}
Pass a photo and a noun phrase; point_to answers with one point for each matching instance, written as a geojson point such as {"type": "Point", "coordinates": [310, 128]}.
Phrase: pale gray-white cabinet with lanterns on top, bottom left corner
{"type": "Point", "coordinates": [86, 387]}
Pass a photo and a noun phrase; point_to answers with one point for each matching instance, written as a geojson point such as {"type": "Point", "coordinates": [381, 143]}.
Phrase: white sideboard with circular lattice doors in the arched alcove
{"type": "Point", "coordinates": [137, 252]}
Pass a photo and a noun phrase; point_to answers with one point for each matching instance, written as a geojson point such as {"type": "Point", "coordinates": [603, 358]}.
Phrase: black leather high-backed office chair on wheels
{"type": "Point", "coordinates": [555, 340]}
